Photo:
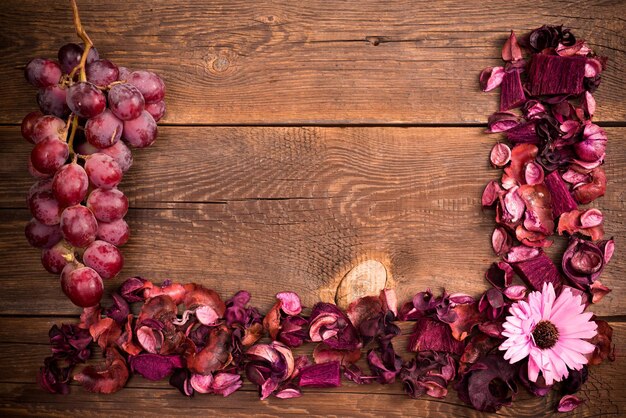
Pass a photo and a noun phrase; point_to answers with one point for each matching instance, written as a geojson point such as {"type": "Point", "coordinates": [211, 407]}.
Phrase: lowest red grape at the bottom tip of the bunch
{"type": "Point", "coordinates": [82, 285]}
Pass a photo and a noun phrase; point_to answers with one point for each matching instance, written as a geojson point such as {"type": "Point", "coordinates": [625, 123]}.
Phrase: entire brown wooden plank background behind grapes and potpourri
{"type": "Point", "coordinates": [300, 141]}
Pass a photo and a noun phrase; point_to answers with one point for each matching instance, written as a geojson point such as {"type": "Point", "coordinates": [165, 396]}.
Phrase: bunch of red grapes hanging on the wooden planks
{"type": "Point", "coordinates": [90, 112]}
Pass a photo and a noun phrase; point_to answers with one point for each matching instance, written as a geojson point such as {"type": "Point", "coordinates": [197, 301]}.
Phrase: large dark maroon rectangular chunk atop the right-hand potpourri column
{"type": "Point", "coordinates": [552, 74]}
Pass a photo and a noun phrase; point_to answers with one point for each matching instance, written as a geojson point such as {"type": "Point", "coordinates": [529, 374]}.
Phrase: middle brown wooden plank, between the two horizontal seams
{"type": "Point", "coordinates": [296, 208]}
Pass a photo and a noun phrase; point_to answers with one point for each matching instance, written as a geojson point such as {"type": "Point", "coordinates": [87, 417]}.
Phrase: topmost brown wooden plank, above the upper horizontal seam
{"type": "Point", "coordinates": [285, 62]}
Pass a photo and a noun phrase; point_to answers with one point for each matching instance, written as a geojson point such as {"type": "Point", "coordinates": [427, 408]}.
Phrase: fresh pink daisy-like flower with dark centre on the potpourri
{"type": "Point", "coordinates": [551, 332]}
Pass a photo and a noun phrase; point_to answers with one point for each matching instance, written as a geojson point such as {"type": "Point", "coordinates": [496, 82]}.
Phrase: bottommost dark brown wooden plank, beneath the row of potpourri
{"type": "Point", "coordinates": [604, 392]}
